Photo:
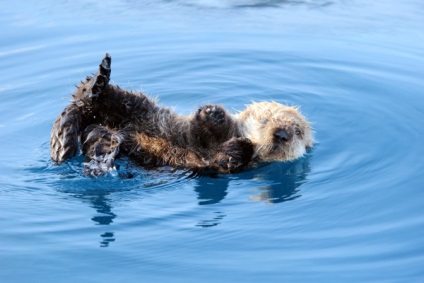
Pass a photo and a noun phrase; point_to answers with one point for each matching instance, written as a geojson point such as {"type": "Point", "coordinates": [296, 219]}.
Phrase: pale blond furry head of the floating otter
{"type": "Point", "coordinates": [278, 132]}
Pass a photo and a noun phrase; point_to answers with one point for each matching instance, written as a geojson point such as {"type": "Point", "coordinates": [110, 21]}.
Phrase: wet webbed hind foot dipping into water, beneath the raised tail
{"type": "Point", "coordinates": [101, 147]}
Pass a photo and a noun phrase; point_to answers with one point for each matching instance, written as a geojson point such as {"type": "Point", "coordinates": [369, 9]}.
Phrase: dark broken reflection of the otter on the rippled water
{"type": "Point", "coordinates": [280, 182]}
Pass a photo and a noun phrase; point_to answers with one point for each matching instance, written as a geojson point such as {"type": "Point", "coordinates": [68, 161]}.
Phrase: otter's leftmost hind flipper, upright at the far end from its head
{"type": "Point", "coordinates": [64, 134]}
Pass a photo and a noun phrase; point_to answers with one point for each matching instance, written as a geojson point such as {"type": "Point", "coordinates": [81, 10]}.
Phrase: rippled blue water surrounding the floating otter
{"type": "Point", "coordinates": [351, 210]}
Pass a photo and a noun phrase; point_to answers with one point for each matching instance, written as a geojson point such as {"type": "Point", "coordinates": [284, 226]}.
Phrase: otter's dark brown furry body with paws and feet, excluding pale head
{"type": "Point", "coordinates": [109, 120]}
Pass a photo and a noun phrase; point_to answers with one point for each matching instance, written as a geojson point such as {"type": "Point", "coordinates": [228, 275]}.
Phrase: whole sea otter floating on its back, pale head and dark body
{"type": "Point", "coordinates": [108, 121]}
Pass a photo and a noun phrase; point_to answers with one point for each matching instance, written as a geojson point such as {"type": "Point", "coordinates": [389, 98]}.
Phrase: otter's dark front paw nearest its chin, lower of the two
{"type": "Point", "coordinates": [233, 155]}
